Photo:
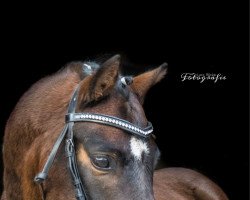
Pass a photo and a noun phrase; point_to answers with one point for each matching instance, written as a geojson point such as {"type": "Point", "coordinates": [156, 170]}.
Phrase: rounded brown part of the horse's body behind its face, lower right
{"type": "Point", "coordinates": [183, 183]}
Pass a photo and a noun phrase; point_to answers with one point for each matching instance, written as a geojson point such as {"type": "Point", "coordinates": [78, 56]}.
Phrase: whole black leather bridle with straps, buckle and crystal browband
{"type": "Point", "coordinates": [67, 133]}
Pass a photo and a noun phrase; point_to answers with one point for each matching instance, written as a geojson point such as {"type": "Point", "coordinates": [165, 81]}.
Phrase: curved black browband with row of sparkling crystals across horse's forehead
{"type": "Point", "coordinates": [112, 121]}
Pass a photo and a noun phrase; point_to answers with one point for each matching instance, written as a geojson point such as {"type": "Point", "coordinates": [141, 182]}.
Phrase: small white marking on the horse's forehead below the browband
{"type": "Point", "coordinates": [138, 147]}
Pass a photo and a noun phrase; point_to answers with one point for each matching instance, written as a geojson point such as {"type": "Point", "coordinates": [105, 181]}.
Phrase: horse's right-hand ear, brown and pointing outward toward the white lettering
{"type": "Point", "coordinates": [143, 82]}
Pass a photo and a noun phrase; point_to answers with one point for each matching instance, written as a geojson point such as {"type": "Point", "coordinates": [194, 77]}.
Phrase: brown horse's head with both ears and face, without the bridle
{"type": "Point", "coordinates": [112, 163]}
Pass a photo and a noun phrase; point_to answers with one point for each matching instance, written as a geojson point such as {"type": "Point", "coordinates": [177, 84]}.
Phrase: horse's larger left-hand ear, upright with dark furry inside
{"type": "Point", "coordinates": [101, 83]}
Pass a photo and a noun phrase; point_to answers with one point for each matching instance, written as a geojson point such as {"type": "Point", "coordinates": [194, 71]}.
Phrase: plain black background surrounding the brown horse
{"type": "Point", "coordinates": [202, 126]}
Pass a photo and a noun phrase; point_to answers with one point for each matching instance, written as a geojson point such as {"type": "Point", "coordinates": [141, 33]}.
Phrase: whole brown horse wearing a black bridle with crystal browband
{"type": "Point", "coordinates": [81, 133]}
